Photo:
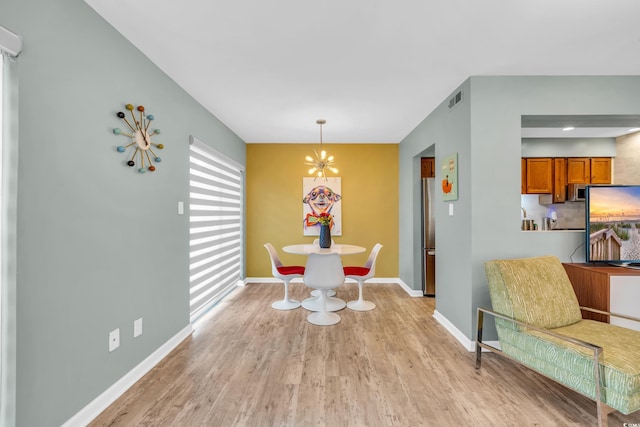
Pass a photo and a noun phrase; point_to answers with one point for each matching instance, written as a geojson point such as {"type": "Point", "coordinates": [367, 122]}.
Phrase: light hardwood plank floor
{"type": "Point", "coordinates": [250, 365]}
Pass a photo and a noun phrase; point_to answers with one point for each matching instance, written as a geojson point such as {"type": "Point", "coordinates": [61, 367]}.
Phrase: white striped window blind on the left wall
{"type": "Point", "coordinates": [216, 194]}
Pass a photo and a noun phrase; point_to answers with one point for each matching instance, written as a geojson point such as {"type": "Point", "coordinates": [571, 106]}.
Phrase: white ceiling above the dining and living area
{"type": "Point", "coordinates": [373, 69]}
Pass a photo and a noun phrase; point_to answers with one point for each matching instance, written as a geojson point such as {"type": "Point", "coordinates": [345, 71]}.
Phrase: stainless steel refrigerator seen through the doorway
{"type": "Point", "coordinates": [428, 237]}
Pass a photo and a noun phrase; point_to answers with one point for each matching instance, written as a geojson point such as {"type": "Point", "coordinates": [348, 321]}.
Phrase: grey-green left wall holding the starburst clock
{"type": "Point", "coordinates": [98, 244]}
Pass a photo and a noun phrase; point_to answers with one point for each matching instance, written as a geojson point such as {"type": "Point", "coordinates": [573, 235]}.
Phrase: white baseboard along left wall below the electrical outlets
{"type": "Point", "coordinates": [100, 403]}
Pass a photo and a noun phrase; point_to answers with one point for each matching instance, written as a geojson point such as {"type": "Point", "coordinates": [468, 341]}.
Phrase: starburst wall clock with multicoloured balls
{"type": "Point", "coordinates": [141, 146]}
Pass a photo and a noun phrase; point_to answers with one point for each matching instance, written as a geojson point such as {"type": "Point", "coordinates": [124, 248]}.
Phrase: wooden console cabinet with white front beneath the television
{"type": "Point", "coordinates": [613, 289]}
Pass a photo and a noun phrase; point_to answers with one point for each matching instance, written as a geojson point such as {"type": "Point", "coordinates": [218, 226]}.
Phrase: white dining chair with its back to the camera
{"type": "Point", "coordinates": [323, 272]}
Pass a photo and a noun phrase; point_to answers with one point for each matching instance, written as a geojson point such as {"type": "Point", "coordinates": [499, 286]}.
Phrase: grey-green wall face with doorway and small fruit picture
{"type": "Point", "coordinates": [449, 130]}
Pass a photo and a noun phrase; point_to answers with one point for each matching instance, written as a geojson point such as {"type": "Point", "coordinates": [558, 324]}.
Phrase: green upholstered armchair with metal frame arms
{"type": "Point", "coordinates": [540, 325]}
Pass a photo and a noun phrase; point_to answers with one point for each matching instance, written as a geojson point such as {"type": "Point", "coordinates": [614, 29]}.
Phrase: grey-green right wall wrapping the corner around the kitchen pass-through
{"type": "Point", "coordinates": [486, 221]}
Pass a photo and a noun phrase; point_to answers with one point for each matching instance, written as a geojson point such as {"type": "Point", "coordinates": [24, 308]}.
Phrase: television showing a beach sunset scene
{"type": "Point", "coordinates": [613, 224]}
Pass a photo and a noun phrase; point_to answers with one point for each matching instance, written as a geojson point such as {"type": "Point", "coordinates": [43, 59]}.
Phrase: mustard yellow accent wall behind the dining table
{"type": "Point", "coordinates": [274, 209]}
